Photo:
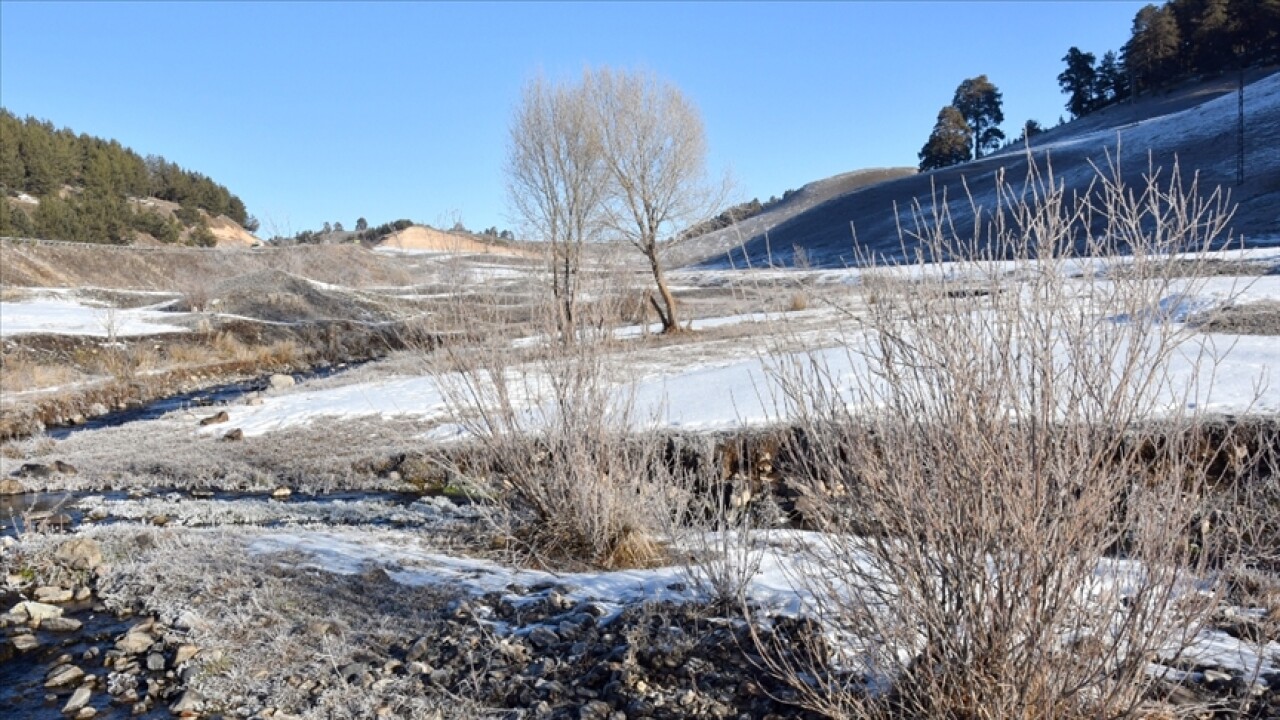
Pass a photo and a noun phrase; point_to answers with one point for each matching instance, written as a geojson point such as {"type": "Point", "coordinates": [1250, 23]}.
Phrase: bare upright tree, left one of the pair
{"type": "Point", "coordinates": [556, 181]}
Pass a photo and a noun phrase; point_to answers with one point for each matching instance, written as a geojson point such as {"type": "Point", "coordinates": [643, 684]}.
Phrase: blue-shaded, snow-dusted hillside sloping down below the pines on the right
{"type": "Point", "coordinates": [1195, 126]}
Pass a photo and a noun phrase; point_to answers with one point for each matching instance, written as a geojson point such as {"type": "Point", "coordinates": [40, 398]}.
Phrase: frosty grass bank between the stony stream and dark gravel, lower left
{"type": "Point", "coordinates": [276, 636]}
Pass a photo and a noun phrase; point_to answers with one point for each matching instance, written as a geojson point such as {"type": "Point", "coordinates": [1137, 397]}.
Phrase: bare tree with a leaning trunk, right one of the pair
{"type": "Point", "coordinates": [655, 149]}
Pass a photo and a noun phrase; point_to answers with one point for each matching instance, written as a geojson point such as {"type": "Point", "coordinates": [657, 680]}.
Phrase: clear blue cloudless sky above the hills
{"type": "Point", "coordinates": [337, 111]}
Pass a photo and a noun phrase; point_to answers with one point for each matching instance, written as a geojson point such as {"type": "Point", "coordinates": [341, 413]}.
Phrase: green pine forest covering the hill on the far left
{"type": "Point", "coordinates": [81, 186]}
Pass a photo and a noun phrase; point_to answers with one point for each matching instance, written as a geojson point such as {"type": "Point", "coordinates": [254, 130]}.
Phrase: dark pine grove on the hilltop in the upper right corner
{"type": "Point", "coordinates": [1172, 43]}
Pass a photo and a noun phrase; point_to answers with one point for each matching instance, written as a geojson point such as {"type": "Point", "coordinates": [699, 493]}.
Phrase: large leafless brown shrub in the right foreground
{"type": "Point", "coordinates": [996, 541]}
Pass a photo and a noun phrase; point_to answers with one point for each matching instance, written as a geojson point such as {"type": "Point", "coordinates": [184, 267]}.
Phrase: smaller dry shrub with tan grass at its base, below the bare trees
{"type": "Point", "coordinates": [554, 440]}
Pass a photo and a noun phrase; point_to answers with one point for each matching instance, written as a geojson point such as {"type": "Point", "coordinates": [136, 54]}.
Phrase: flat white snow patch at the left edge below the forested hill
{"type": "Point", "coordinates": [70, 317]}
